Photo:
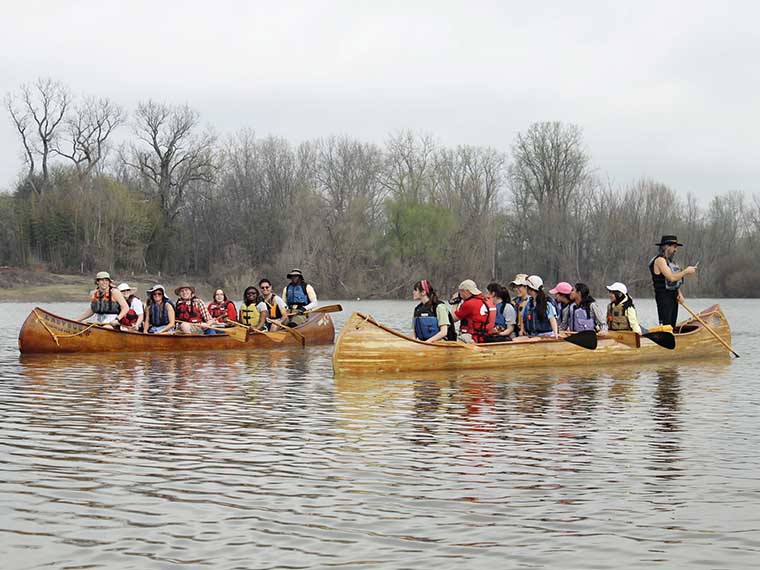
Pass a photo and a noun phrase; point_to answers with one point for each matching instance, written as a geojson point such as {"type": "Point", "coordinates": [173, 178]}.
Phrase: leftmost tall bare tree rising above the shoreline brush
{"type": "Point", "coordinates": [37, 112]}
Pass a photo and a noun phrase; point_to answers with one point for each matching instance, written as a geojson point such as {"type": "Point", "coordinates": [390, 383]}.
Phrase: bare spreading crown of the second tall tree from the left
{"type": "Point", "coordinates": [88, 129]}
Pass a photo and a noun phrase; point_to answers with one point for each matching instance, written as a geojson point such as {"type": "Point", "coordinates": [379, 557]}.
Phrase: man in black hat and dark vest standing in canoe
{"type": "Point", "coordinates": [667, 278]}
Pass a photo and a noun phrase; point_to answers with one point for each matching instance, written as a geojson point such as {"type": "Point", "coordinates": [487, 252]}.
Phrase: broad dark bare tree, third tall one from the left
{"type": "Point", "coordinates": [171, 155]}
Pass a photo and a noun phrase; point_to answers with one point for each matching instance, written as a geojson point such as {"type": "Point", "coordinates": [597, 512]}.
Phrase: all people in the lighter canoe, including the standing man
{"type": "Point", "coordinates": [524, 310]}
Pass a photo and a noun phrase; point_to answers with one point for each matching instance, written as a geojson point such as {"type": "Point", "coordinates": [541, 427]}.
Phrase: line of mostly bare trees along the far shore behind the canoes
{"type": "Point", "coordinates": [360, 219]}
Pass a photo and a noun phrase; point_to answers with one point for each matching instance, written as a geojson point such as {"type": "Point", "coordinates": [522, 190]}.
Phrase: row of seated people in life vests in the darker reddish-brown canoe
{"type": "Point", "coordinates": [261, 309]}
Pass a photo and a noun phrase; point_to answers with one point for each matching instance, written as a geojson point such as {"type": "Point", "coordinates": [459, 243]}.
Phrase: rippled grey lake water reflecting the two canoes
{"type": "Point", "coordinates": [264, 460]}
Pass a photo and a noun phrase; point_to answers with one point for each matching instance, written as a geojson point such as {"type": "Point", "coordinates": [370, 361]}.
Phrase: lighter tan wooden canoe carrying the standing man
{"type": "Point", "coordinates": [364, 345]}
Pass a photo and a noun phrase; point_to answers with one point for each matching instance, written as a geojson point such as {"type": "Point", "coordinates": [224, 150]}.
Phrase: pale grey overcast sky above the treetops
{"type": "Point", "coordinates": [662, 90]}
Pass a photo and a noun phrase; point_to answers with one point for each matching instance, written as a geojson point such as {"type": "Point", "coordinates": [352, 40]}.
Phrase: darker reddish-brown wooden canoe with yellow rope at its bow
{"type": "Point", "coordinates": [44, 332]}
